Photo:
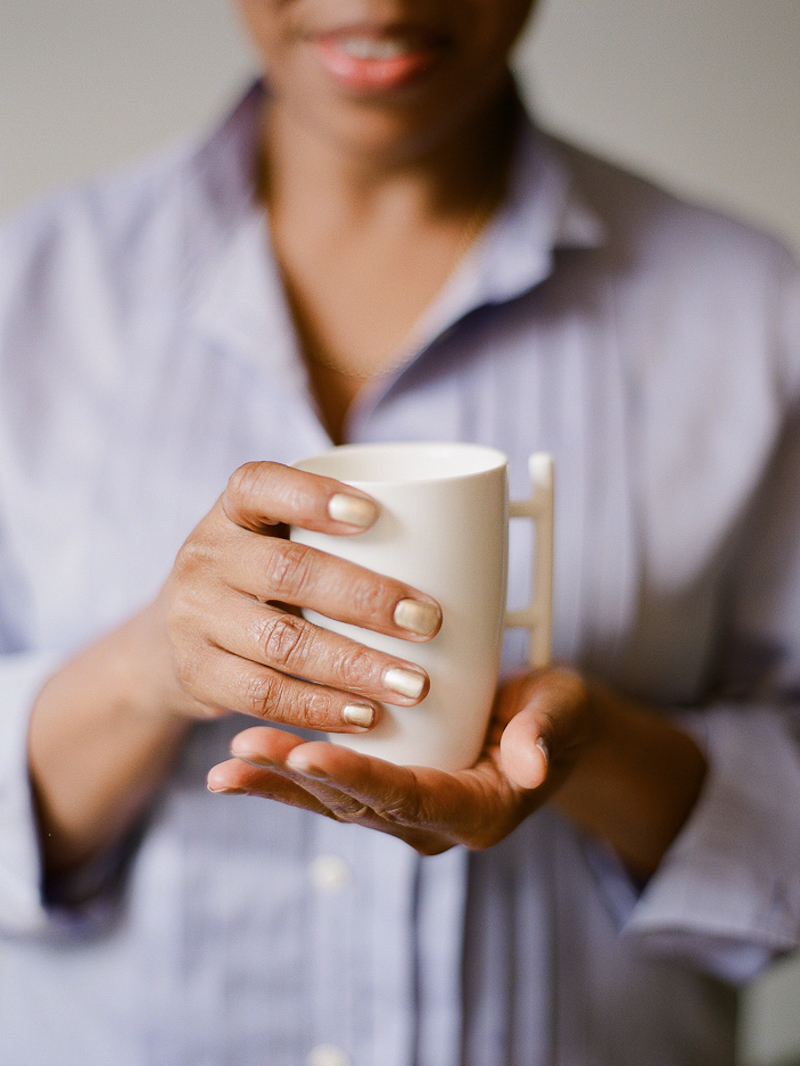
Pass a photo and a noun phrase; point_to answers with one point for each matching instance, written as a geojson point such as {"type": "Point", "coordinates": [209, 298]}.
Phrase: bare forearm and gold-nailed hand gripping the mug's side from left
{"type": "Point", "coordinates": [107, 726]}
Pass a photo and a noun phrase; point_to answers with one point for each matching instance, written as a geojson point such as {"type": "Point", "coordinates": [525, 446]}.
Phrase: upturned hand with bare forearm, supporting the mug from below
{"type": "Point", "coordinates": [620, 770]}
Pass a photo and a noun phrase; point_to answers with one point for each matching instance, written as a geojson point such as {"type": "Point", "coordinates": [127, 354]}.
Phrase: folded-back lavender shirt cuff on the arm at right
{"type": "Point", "coordinates": [727, 896]}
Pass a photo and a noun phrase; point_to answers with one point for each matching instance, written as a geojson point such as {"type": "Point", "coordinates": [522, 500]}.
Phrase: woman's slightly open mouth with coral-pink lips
{"type": "Point", "coordinates": [367, 60]}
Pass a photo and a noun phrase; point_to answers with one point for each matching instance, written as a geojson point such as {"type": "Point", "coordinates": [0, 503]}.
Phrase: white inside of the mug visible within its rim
{"type": "Point", "coordinates": [405, 462]}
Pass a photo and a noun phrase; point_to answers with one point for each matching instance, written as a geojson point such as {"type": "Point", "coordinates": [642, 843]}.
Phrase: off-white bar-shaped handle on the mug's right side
{"type": "Point", "coordinates": [538, 617]}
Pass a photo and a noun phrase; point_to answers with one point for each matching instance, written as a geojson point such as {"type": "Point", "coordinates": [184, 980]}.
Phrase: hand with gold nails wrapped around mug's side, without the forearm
{"type": "Point", "coordinates": [235, 647]}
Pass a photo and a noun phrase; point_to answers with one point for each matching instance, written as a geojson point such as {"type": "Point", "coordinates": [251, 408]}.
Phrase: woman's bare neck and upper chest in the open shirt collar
{"type": "Point", "coordinates": [366, 243]}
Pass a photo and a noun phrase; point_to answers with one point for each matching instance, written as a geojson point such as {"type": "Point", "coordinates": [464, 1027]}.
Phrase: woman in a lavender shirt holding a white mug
{"type": "Point", "coordinates": [436, 269]}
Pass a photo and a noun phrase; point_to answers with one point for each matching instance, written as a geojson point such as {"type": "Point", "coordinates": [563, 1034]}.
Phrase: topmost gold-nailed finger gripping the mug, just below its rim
{"type": "Point", "coordinates": [262, 495]}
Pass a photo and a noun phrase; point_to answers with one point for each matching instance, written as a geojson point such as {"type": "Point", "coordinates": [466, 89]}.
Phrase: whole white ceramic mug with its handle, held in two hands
{"type": "Point", "coordinates": [443, 528]}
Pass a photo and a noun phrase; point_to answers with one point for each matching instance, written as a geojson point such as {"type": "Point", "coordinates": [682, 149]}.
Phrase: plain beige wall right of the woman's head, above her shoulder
{"type": "Point", "coordinates": [703, 95]}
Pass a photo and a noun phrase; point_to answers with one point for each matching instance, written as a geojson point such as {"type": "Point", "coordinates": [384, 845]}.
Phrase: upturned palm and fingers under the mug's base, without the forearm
{"type": "Point", "coordinates": [540, 725]}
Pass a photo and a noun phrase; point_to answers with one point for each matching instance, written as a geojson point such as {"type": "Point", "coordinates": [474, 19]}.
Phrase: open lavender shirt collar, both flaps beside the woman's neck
{"type": "Point", "coordinates": [238, 294]}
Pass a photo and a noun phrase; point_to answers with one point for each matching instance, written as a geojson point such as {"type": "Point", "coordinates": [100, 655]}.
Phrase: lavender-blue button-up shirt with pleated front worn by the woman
{"type": "Point", "coordinates": [654, 348]}
